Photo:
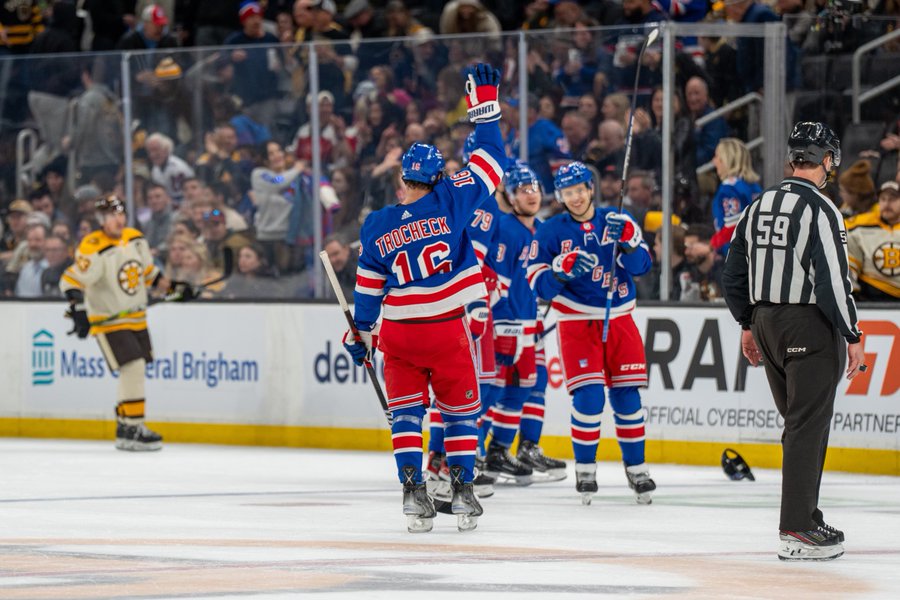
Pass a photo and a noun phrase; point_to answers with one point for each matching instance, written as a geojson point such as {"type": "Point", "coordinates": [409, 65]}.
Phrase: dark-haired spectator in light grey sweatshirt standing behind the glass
{"type": "Point", "coordinates": [273, 188]}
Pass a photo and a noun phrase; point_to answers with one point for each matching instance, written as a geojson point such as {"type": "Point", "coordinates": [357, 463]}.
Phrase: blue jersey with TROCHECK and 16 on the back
{"type": "Point", "coordinates": [417, 259]}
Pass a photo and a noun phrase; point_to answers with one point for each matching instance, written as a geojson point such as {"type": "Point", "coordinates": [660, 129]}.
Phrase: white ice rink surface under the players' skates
{"type": "Point", "coordinates": [82, 520]}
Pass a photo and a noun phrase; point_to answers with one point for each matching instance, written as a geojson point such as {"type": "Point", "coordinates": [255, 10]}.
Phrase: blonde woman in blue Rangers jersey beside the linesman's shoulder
{"type": "Point", "coordinates": [739, 187]}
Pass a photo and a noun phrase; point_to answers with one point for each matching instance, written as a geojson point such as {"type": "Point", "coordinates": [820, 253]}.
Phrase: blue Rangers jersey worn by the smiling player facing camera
{"type": "Point", "coordinates": [585, 297]}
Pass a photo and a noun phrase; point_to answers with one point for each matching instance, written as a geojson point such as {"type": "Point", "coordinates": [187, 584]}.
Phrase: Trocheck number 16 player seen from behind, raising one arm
{"type": "Point", "coordinates": [417, 272]}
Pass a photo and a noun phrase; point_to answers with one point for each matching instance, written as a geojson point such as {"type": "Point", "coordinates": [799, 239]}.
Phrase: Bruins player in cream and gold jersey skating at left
{"type": "Point", "coordinates": [107, 287]}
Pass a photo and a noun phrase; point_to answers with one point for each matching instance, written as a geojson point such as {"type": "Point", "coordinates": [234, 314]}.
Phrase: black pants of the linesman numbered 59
{"type": "Point", "coordinates": [804, 357]}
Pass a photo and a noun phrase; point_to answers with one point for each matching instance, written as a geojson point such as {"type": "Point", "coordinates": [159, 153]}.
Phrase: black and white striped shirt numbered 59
{"type": "Point", "coordinates": [790, 247]}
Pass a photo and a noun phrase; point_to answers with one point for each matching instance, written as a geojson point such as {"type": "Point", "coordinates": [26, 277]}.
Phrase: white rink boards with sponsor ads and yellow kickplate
{"type": "Point", "coordinates": [276, 374]}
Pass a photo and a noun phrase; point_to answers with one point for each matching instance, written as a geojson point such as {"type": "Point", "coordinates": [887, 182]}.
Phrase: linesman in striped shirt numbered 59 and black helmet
{"type": "Point", "coordinates": [787, 283]}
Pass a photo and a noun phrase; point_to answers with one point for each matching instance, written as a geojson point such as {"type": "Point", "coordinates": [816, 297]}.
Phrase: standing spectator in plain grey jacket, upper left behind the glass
{"type": "Point", "coordinates": [96, 140]}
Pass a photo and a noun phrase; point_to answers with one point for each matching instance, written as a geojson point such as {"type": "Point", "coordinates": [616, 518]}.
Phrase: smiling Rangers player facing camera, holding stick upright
{"type": "Point", "coordinates": [574, 251]}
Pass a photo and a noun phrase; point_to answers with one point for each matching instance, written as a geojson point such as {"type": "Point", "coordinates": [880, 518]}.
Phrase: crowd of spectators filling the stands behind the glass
{"type": "Point", "coordinates": [222, 139]}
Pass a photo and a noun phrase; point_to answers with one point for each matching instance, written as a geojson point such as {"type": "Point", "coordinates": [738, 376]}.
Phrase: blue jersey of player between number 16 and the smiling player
{"type": "Point", "coordinates": [516, 248]}
